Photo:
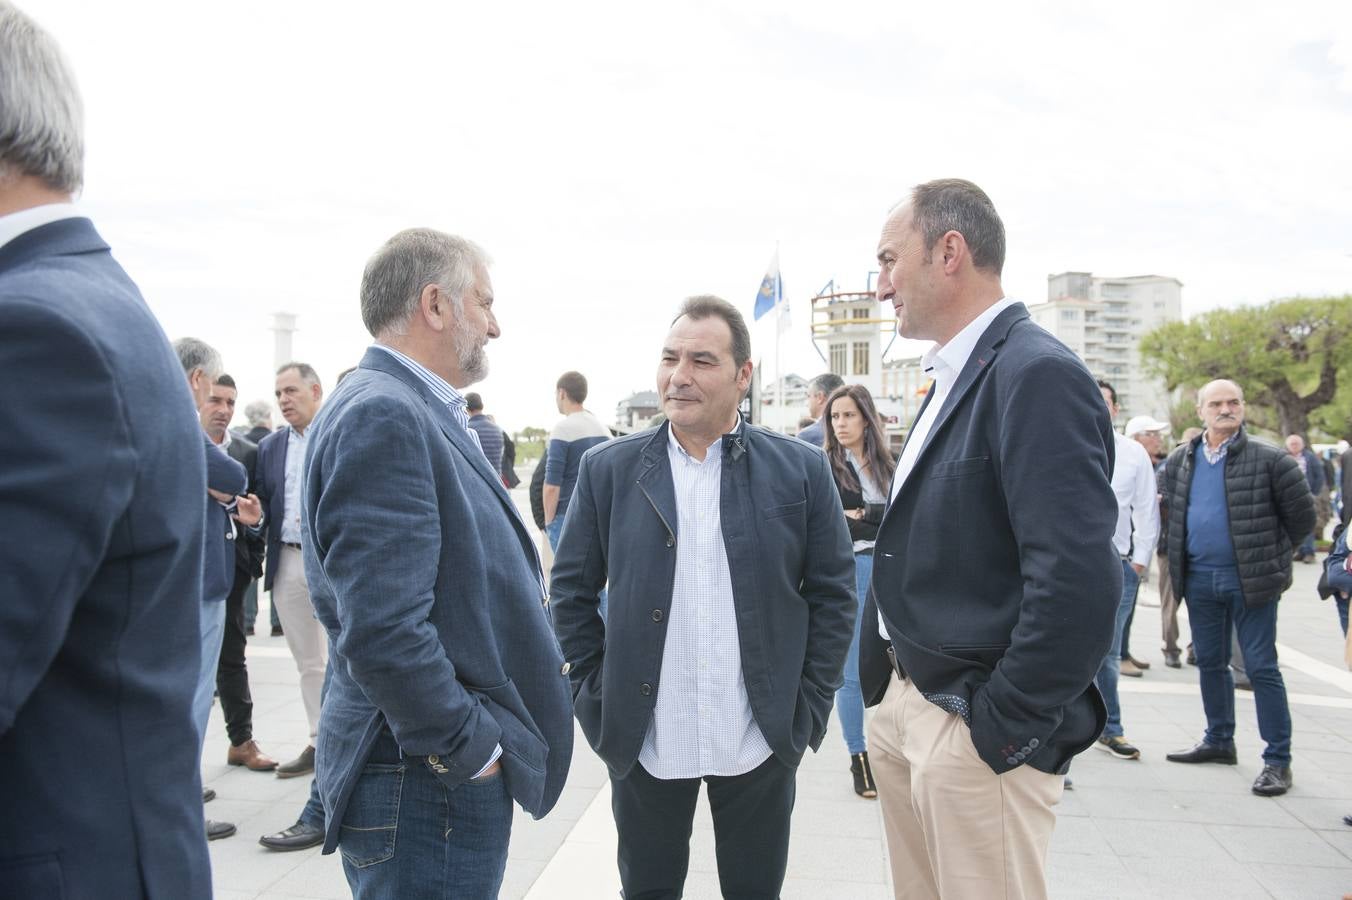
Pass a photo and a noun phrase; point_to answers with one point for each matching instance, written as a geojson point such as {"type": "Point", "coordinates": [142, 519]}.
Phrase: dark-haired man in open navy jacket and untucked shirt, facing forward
{"type": "Point", "coordinates": [732, 609]}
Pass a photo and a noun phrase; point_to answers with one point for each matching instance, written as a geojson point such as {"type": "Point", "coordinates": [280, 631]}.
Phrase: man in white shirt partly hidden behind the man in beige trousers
{"type": "Point", "coordinates": [1138, 530]}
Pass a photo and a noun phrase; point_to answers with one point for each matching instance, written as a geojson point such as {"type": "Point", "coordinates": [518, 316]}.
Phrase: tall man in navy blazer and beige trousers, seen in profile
{"type": "Point", "coordinates": [994, 568]}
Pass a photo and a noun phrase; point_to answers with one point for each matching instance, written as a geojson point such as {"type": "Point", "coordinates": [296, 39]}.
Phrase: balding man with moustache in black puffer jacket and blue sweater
{"type": "Point", "coordinates": [1236, 507]}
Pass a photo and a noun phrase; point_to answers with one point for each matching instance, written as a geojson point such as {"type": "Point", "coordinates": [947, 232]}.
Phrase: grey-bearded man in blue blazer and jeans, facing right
{"type": "Point", "coordinates": [448, 697]}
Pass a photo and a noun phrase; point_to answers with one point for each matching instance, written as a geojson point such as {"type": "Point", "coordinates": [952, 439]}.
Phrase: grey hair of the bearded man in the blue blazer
{"type": "Point", "coordinates": [397, 275]}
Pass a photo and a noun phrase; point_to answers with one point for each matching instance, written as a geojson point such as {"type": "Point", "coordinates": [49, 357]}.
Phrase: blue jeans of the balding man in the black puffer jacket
{"type": "Point", "coordinates": [1216, 605]}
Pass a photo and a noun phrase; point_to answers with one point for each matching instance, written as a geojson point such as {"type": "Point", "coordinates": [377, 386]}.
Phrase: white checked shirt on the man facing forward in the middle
{"type": "Point", "coordinates": [702, 721]}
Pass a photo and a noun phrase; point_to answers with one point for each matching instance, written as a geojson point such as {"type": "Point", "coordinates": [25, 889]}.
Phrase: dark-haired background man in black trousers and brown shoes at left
{"type": "Point", "coordinates": [233, 671]}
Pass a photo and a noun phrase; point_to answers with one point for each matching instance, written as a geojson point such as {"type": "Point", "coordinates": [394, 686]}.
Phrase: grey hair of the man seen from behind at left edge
{"type": "Point", "coordinates": [41, 117]}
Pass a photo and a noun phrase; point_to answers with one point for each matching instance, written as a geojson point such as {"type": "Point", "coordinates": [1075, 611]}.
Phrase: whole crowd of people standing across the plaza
{"type": "Point", "coordinates": [717, 589]}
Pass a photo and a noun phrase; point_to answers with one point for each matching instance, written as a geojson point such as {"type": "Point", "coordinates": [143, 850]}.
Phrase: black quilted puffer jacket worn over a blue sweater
{"type": "Point", "coordinates": [1270, 506]}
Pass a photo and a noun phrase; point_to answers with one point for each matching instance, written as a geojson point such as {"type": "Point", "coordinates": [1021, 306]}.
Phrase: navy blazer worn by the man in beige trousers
{"type": "Point", "coordinates": [994, 567]}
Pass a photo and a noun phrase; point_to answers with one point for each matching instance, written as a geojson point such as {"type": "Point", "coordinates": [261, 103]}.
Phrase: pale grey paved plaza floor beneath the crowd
{"type": "Point", "coordinates": [1130, 829]}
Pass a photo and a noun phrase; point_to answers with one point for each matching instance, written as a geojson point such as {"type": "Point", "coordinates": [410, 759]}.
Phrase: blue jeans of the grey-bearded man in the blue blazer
{"type": "Point", "coordinates": [409, 837]}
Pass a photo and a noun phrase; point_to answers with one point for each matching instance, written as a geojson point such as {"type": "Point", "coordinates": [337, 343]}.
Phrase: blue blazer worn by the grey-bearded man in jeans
{"type": "Point", "coordinates": [429, 586]}
